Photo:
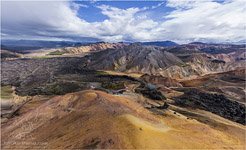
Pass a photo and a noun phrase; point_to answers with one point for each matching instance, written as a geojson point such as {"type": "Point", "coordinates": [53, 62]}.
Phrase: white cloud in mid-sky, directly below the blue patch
{"type": "Point", "coordinates": [124, 24]}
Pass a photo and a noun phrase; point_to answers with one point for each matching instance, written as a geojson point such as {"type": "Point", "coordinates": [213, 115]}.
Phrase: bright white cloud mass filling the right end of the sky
{"type": "Point", "coordinates": [207, 20]}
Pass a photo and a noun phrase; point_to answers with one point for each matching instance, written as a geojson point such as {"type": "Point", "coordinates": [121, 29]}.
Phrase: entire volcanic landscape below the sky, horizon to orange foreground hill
{"type": "Point", "coordinates": [124, 95]}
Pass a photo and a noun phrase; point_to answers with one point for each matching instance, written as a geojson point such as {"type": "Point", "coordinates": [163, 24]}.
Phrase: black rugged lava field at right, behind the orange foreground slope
{"type": "Point", "coordinates": [215, 103]}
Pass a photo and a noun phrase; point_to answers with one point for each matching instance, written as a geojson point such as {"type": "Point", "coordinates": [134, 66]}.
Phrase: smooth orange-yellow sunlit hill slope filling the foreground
{"type": "Point", "coordinates": [94, 119]}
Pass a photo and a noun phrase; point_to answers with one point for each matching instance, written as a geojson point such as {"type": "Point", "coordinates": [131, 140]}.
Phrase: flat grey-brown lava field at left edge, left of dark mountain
{"type": "Point", "coordinates": [38, 71]}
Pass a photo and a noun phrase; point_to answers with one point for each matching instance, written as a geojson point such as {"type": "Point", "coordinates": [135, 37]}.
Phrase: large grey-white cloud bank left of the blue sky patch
{"type": "Point", "coordinates": [40, 18]}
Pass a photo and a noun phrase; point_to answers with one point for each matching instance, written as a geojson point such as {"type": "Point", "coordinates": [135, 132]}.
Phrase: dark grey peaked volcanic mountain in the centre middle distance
{"type": "Point", "coordinates": [133, 58]}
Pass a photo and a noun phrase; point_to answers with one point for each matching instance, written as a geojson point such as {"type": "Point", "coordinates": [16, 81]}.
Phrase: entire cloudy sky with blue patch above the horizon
{"type": "Point", "coordinates": [181, 21]}
